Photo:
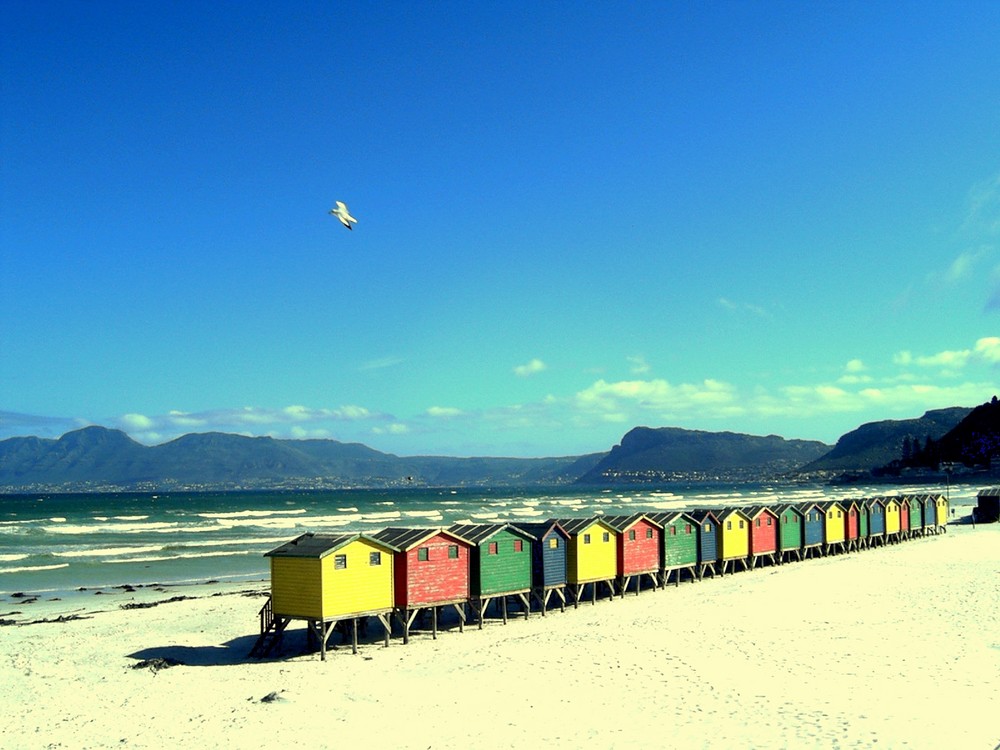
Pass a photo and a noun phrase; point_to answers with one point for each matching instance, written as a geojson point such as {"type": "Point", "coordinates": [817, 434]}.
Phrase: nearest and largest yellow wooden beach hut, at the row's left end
{"type": "Point", "coordinates": [325, 579]}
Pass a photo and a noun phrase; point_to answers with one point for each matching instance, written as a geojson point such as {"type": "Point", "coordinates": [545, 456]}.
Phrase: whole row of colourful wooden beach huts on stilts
{"type": "Point", "coordinates": [339, 579]}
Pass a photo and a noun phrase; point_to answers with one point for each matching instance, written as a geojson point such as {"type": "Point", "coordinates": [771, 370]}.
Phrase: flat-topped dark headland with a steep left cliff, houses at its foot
{"type": "Point", "coordinates": [648, 454]}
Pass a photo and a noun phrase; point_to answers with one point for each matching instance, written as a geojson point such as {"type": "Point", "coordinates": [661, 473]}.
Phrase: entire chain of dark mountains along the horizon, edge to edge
{"type": "Point", "coordinates": [101, 459]}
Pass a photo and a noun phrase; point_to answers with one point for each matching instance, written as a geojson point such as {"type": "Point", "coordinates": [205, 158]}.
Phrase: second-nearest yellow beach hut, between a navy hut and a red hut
{"type": "Point", "coordinates": [591, 556]}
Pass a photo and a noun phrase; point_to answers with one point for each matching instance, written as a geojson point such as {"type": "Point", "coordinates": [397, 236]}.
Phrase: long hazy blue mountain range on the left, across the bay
{"type": "Point", "coordinates": [99, 458]}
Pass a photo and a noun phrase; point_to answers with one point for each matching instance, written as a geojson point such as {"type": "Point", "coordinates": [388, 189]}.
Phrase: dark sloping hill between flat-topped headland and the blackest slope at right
{"type": "Point", "coordinates": [876, 444]}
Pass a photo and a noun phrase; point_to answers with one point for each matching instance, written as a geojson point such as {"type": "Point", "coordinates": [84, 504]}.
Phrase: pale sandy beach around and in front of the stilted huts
{"type": "Point", "coordinates": [892, 647]}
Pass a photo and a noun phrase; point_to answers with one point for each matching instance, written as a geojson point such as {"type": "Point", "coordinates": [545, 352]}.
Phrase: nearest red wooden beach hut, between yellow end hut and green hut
{"type": "Point", "coordinates": [432, 571]}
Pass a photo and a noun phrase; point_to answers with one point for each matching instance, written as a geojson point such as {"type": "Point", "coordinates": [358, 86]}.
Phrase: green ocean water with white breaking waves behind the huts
{"type": "Point", "coordinates": [53, 545]}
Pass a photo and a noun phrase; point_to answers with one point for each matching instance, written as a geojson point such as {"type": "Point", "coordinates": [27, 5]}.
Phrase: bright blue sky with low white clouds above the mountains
{"type": "Point", "coordinates": [573, 218]}
